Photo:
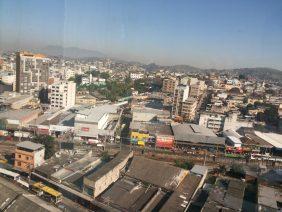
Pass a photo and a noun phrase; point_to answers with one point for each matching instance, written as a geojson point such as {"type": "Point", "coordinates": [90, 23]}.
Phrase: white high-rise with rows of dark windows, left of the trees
{"type": "Point", "coordinates": [63, 94]}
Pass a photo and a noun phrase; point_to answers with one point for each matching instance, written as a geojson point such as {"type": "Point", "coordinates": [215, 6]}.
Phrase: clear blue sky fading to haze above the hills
{"type": "Point", "coordinates": [207, 34]}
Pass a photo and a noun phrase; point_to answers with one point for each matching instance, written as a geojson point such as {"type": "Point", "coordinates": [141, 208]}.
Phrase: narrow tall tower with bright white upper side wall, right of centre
{"type": "Point", "coordinates": [180, 95]}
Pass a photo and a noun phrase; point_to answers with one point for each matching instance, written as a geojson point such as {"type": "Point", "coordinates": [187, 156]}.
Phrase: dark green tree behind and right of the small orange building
{"type": "Point", "coordinates": [48, 142]}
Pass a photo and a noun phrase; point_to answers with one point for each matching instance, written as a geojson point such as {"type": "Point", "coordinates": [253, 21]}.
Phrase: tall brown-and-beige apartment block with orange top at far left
{"type": "Point", "coordinates": [32, 72]}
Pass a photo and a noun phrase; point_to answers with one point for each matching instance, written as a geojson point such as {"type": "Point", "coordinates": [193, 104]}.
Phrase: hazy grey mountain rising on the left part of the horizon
{"type": "Point", "coordinates": [70, 52]}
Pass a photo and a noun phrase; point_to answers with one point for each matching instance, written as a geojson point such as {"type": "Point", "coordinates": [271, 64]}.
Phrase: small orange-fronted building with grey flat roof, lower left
{"type": "Point", "coordinates": [29, 155]}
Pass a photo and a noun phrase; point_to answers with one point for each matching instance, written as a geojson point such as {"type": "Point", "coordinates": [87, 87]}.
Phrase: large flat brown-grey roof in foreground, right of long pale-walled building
{"type": "Point", "coordinates": [156, 172]}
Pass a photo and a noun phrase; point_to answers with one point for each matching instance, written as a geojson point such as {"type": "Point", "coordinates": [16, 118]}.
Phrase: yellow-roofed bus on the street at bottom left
{"type": "Point", "coordinates": [46, 192]}
